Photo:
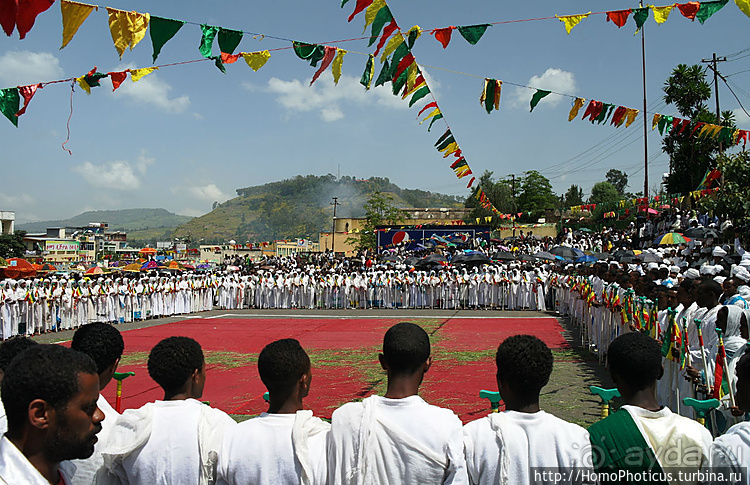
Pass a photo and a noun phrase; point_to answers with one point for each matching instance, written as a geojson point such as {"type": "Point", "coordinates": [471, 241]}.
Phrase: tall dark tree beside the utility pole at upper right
{"type": "Point", "coordinates": [690, 156]}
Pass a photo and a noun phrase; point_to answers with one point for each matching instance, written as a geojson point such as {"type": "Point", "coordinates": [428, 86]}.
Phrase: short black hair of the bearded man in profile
{"type": "Point", "coordinates": [47, 372]}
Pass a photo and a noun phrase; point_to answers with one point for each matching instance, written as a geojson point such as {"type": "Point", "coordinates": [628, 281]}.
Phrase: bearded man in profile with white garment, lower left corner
{"type": "Point", "coordinates": [49, 393]}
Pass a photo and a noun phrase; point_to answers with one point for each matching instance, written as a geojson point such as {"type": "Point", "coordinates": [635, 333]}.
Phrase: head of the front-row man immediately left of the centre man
{"type": "Point", "coordinates": [284, 367]}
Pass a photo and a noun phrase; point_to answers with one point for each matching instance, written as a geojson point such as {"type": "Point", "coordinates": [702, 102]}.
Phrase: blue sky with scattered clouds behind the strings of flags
{"type": "Point", "coordinates": [188, 135]}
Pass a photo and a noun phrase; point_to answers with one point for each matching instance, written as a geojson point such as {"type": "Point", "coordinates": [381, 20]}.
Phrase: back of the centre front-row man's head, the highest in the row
{"type": "Point", "coordinates": [406, 350]}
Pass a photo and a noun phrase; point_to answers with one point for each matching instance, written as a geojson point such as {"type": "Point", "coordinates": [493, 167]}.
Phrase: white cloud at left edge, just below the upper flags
{"type": "Point", "coordinates": [18, 68]}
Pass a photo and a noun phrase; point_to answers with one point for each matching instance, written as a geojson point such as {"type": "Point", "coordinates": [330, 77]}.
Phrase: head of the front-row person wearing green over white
{"type": "Point", "coordinates": [634, 362]}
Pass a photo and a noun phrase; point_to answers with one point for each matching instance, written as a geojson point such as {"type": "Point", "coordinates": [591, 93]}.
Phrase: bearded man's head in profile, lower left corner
{"type": "Point", "coordinates": [50, 393]}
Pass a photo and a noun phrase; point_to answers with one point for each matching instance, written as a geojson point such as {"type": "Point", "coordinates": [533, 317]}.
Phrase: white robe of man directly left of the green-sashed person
{"type": "Point", "coordinates": [501, 448]}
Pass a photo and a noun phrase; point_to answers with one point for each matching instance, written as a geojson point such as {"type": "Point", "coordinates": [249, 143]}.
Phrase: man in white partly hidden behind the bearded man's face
{"type": "Point", "coordinates": [104, 344]}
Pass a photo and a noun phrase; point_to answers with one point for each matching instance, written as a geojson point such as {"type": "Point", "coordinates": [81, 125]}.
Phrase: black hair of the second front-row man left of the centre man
{"type": "Point", "coordinates": [173, 360]}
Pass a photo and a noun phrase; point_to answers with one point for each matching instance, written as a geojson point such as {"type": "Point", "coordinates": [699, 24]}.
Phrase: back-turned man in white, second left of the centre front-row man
{"type": "Point", "coordinates": [173, 441]}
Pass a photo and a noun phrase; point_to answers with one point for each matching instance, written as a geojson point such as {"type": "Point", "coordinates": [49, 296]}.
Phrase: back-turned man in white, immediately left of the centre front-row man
{"type": "Point", "coordinates": [285, 445]}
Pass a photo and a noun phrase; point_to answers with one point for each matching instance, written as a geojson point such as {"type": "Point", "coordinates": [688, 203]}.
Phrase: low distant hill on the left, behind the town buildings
{"type": "Point", "coordinates": [128, 220]}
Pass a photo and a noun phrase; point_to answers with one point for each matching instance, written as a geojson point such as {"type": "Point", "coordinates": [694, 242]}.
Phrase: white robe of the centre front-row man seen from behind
{"type": "Point", "coordinates": [381, 440]}
